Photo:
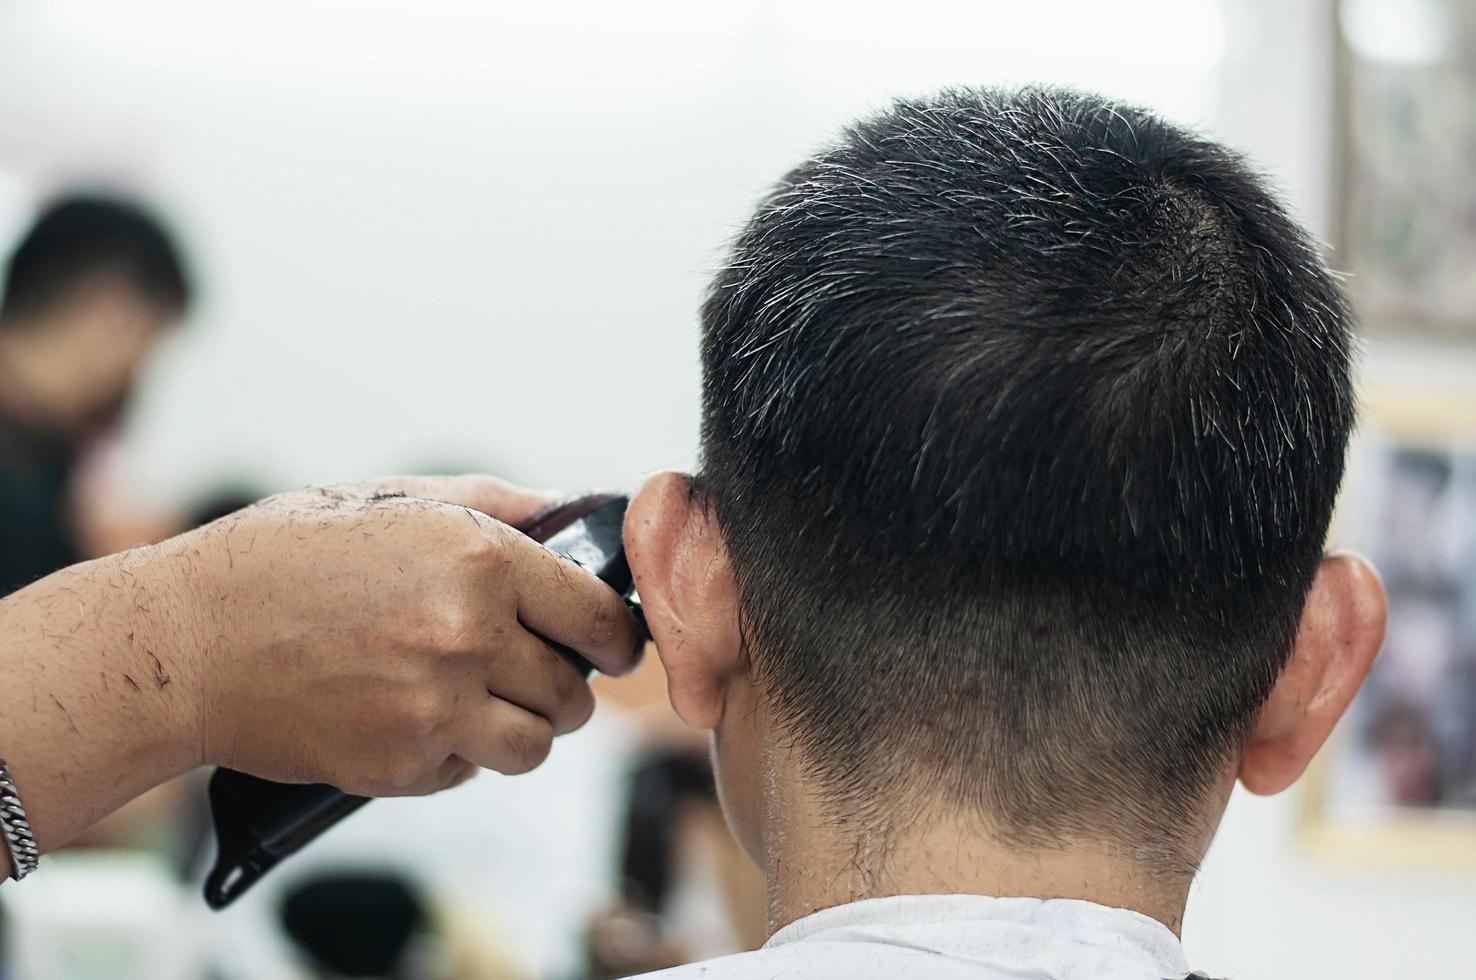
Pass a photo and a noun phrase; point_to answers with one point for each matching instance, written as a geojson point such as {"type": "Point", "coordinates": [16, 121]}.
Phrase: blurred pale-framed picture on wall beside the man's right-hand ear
{"type": "Point", "coordinates": [1397, 783]}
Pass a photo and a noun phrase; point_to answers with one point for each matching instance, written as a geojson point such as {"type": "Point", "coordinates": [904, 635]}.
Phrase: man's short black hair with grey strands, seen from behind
{"type": "Point", "coordinates": [1025, 414]}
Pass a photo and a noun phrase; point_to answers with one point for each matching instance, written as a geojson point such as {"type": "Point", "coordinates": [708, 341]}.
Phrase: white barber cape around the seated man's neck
{"type": "Point", "coordinates": [957, 938]}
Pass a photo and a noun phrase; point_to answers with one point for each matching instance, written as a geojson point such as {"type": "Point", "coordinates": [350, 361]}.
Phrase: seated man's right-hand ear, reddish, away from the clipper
{"type": "Point", "coordinates": [1339, 637]}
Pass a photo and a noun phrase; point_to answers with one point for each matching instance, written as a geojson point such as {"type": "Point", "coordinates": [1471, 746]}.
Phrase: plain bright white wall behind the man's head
{"type": "Point", "coordinates": [477, 237]}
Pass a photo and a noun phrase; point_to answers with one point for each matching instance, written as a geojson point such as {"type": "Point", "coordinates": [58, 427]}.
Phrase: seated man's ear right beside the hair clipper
{"type": "Point", "coordinates": [689, 593]}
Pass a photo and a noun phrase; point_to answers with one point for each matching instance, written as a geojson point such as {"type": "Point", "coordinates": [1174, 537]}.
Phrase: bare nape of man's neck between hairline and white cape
{"type": "Point", "coordinates": [815, 861]}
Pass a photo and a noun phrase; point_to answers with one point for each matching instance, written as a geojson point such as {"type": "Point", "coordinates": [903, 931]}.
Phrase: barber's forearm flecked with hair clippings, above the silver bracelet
{"type": "Point", "coordinates": [98, 689]}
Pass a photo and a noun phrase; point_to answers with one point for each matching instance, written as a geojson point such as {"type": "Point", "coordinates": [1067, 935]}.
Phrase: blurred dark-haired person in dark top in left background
{"type": "Point", "coordinates": [89, 291]}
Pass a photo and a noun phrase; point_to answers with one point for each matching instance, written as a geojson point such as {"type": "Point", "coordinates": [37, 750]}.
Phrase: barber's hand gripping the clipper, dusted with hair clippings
{"type": "Point", "coordinates": [389, 638]}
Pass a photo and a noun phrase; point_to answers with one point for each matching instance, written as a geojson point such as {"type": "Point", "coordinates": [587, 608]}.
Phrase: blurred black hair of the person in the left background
{"type": "Point", "coordinates": [79, 237]}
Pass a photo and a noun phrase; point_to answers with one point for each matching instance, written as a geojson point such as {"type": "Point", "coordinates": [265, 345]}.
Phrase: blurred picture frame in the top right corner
{"type": "Point", "coordinates": [1406, 157]}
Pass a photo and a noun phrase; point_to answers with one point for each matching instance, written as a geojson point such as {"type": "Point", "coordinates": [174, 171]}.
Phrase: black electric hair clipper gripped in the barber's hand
{"type": "Point", "coordinates": [259, 823]}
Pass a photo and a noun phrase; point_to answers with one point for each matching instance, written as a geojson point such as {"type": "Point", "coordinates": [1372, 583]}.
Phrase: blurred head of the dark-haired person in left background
{"type": "Point", "coordinates": [86, 294]}
